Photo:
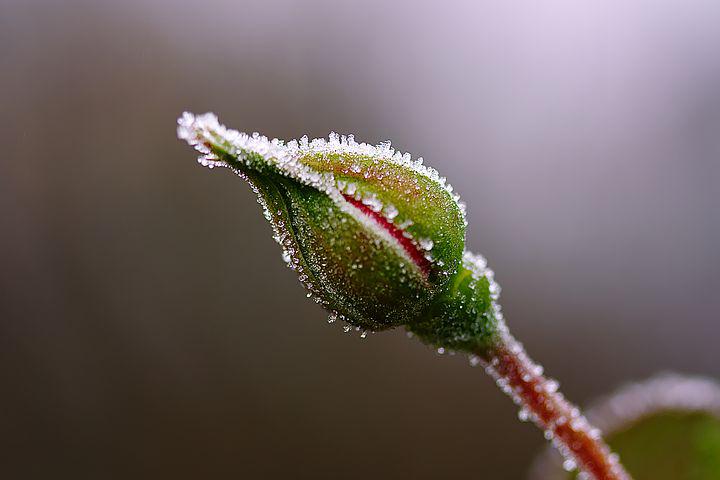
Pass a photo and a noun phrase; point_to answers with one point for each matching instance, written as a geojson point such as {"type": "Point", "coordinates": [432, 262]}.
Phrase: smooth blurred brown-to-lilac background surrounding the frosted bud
{"type": "Point", "coordinates": [148, 326]}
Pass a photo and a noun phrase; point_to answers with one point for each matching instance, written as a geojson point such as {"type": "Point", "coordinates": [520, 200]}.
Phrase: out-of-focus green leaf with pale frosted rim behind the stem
{"type": "Point", "coordinates": [666, 428]}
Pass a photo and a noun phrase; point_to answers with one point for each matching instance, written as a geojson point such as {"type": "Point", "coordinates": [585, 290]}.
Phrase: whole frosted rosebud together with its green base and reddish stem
{"type": "Point", "coordinates": [379, 240]}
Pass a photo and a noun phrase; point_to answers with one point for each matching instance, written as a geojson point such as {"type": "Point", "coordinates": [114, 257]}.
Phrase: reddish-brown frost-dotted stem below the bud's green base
{"type": "Point", "coordinates": [579, 442]}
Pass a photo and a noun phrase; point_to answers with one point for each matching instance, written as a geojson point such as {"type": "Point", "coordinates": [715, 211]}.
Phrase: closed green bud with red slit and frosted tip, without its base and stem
{"type": "Point", "coordinates": [374, 236]}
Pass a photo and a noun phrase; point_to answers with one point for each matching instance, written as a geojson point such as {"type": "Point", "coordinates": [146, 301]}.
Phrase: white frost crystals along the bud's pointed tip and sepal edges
{"type": "Point", "coordinates": [201, 130]}
